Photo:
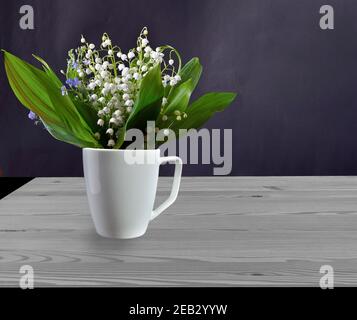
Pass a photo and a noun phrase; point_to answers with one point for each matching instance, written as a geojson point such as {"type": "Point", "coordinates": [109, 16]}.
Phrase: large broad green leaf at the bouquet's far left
{"type": "Point", "coordinates": [40, 92]}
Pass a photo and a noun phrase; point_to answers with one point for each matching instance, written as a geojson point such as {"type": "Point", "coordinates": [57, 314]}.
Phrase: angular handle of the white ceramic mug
{"type": "Point", "coordinates": [175, 186]}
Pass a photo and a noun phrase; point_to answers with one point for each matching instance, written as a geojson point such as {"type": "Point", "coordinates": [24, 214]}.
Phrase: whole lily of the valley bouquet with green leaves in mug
{"type": "Point", "coordinates": [108, 91]}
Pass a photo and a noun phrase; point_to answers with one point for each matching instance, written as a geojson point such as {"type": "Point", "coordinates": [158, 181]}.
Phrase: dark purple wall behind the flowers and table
{"type": "Point", "coordinates": [297, 108]}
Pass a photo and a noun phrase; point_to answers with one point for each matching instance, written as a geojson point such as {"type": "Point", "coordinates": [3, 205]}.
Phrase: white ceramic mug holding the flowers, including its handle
{"type": "Point", "coordinates": [121, 189]}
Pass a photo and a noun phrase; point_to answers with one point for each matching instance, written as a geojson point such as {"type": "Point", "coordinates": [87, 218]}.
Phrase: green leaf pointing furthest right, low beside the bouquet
{"type": "Point", "coordinates": [203, 109]}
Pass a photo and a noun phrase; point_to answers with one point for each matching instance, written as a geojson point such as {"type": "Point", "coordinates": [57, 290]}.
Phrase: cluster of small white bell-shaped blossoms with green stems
{"type": "Point", "coordinates": [108, 79]}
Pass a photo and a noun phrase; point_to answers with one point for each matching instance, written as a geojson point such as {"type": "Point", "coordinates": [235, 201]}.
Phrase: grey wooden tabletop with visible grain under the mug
{"type": "Point", "coordinates": [231, 231]}
